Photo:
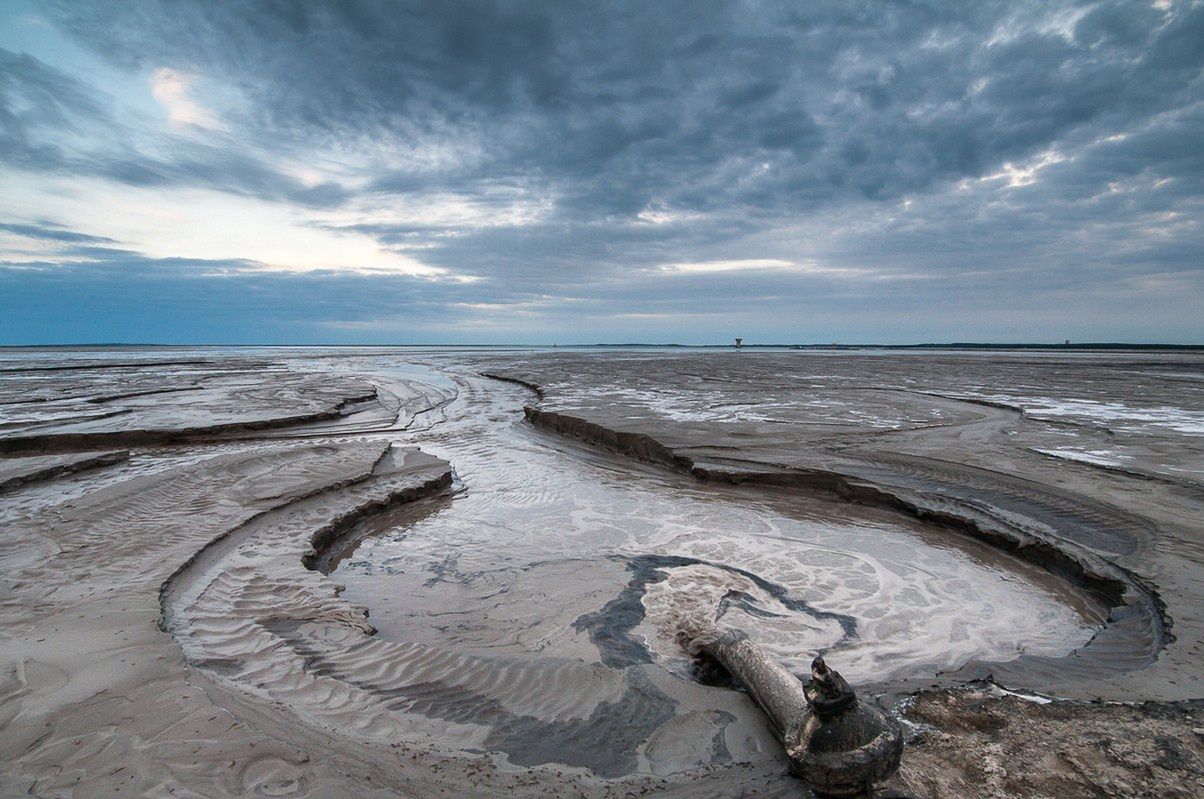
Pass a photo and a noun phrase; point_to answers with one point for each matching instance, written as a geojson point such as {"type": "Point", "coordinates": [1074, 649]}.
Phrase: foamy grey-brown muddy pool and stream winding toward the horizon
{"type": "Point", "coordinates": [553, 551]}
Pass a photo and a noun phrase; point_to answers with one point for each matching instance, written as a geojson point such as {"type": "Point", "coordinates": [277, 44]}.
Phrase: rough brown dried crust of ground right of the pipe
{"type": "Point", "coordinates": [976, 744]}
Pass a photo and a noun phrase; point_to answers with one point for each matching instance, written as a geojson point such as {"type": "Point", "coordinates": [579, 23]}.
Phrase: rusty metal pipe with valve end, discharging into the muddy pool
{"type": "Point", "coordinates": [836, 744]}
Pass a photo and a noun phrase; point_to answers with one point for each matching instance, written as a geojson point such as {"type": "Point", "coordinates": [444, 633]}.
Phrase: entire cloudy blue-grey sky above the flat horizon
{"type": "Point", "coordinates": [582, 173]}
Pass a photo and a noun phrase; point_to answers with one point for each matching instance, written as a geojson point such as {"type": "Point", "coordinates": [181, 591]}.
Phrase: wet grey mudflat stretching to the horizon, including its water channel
{"type": "Point", "coordinates": [169, 624]}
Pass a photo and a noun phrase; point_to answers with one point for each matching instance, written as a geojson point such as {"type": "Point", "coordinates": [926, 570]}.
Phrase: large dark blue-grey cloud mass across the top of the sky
{"type": "Point", "coordinates": [617, 108]}
